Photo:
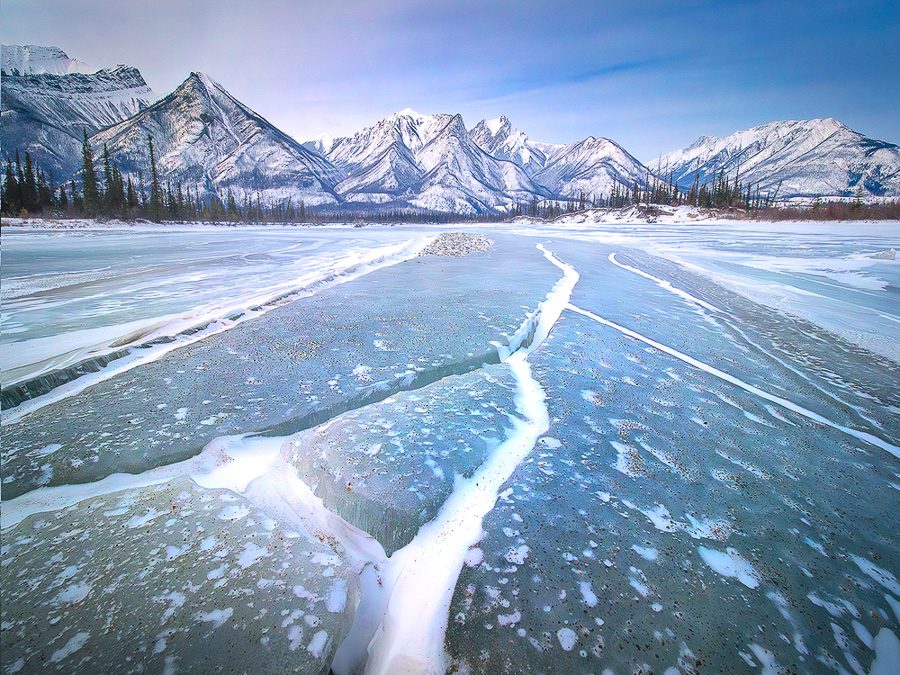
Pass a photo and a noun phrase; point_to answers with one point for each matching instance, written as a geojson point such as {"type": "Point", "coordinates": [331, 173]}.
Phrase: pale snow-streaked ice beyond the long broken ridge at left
{"type": "Point", "coordinates": [68, 296]}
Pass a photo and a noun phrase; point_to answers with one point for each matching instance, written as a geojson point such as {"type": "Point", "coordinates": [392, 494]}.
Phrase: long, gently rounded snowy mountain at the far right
{"type": "Point", "coordinates": [793, 158]}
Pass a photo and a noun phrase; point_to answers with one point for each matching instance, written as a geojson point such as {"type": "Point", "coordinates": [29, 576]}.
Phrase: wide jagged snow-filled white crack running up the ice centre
{"type": "Point", "coordinates": [422, 575]}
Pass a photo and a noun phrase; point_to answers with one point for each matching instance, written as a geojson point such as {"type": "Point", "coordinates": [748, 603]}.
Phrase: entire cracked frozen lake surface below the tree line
{"type": "Point", "coordinates": [590, 448]}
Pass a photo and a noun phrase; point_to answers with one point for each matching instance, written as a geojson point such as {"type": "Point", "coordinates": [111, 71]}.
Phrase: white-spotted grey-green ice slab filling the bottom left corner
{"type": "Point", "coordinates": [170, 577]}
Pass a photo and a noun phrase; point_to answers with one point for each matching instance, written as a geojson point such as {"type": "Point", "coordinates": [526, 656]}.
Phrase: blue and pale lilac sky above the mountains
{"type": "Point", "coordinates": [652, 75]}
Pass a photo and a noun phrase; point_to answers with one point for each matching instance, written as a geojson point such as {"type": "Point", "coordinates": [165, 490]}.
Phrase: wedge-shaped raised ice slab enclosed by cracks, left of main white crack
{"type": "Point", "coordinates": [389, 467]}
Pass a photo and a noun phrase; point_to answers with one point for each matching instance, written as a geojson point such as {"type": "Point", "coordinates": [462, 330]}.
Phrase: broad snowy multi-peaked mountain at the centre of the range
{"type": "Point", "coordinates": [429, 162]}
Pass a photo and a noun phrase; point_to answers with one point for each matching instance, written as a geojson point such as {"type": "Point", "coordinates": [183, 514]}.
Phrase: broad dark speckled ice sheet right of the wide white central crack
{"type": "Point", "coordinates": [670, 519]}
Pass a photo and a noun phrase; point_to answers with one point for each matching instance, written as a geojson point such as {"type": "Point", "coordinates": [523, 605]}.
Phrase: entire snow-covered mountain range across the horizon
{"type": "Point", "coordinates": [214, 144]}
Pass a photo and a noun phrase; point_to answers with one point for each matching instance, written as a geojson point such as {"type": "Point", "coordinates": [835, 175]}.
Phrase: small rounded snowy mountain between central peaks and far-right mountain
{"type": "Point", "coordinates": [592, 166]}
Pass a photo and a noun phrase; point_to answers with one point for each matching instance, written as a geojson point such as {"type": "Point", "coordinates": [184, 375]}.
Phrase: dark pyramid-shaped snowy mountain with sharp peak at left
{"type": "Point", "coordinates": [212, 143]}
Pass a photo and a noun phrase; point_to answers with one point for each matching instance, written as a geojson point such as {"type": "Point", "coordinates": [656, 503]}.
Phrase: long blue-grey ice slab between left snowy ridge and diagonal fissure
{"type": "Point", "coordinates": [293, 368]}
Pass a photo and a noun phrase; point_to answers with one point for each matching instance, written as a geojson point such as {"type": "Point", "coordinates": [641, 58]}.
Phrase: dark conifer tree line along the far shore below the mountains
{"type": "Point", "coordinates": [105, 192]}
